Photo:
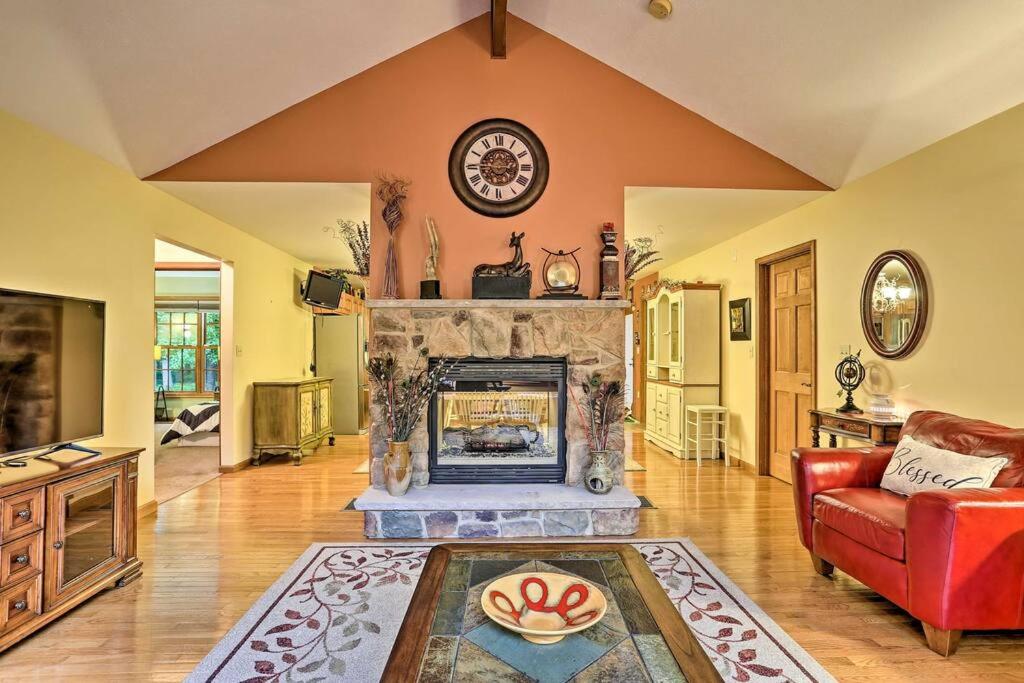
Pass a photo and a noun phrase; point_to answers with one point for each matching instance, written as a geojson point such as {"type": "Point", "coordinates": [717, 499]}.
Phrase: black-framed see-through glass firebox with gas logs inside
{"type": "Point", "coordinates": [500, 422]}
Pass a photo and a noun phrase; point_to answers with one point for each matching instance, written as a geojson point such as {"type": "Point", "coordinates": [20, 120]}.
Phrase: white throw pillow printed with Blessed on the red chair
{"type": "Point", "coordinates": [917, 466]}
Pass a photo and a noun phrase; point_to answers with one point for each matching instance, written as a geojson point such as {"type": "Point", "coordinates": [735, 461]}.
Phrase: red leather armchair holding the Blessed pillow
{"type": "Point", "coordinates": [954, 560]}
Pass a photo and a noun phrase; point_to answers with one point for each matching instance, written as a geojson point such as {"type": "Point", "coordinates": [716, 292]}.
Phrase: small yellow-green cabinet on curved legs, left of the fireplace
{"type": "Point", "coordinates": [292, 416]}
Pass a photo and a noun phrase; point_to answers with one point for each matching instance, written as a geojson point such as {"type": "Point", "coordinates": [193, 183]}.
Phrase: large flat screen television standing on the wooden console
{"type": "Point", "coordinates": [52, 370]}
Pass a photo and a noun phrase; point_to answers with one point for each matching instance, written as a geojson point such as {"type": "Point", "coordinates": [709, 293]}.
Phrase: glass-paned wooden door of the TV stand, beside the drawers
{"type": "Point", "coordinates": [84, 532]}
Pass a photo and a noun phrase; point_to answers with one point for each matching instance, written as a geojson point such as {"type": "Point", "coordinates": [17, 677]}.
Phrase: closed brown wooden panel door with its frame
{"type": "Point", "coordinates": [787, 295]}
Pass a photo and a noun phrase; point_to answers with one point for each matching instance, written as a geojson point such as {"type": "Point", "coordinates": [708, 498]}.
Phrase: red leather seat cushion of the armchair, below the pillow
{"type": "Point", "coordinates": [874, 518]}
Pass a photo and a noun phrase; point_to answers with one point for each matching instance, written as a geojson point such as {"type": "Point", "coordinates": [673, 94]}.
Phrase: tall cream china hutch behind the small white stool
{"type": "Point", "coordinates": [684, 363]}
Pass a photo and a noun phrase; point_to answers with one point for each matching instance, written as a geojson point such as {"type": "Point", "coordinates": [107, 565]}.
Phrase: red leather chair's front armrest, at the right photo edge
{"type": "Point", "coordinates": [965, 556]}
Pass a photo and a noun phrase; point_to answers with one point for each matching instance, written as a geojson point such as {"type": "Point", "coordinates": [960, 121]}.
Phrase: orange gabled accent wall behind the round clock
{"type": "Point", "coordinates": [603, 131]}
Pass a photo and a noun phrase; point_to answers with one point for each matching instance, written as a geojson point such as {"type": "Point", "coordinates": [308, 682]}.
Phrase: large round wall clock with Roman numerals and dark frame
{"type": "Point", "coordinates": [498, 167]}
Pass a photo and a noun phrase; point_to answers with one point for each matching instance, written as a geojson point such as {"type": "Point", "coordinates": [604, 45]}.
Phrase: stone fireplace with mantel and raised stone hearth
{"type": "Point", "coordinates": [503, 449]}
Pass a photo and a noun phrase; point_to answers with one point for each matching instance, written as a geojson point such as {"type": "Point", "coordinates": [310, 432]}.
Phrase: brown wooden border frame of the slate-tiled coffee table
{"type": "Point", "coordinates": [411, 645]}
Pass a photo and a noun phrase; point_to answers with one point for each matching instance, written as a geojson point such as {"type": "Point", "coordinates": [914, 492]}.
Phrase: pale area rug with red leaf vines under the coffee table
{"type": "Point", "coordinates": [335, 613]}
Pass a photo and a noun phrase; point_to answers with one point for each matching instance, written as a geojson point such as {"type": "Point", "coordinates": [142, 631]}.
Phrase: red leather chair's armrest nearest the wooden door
{"type": "Point", "coordinates": [816, 471]}
